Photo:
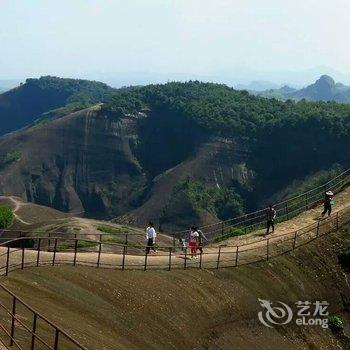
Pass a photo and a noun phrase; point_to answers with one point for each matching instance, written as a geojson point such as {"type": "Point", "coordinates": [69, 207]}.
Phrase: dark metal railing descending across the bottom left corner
{"type": "Point", "coordinates": [22, 327]}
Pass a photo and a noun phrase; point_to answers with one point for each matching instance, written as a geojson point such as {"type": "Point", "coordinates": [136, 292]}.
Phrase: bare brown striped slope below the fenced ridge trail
{"type": "Point", "coordinates": [108, 309]}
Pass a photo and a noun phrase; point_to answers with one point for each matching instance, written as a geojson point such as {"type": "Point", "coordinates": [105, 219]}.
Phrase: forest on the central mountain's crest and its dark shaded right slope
{"type": "Point", "coordinates": [287, 140]}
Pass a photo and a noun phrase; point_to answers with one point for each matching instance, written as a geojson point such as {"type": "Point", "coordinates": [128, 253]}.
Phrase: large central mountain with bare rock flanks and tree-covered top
{"type": "Point", "coordinates": [177, 153]}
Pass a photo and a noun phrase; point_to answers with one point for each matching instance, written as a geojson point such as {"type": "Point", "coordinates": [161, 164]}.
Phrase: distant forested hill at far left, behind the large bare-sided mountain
{"type": "Point", "coordinates": [22, 105]}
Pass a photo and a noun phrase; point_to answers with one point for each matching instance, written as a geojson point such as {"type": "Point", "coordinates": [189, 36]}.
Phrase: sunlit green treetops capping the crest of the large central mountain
{"type": "Point", "coordinates": [228, 112]}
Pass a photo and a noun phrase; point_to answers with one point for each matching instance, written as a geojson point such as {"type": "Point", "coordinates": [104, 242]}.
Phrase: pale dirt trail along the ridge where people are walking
{"type": "Point", "coordinates": [178, 259]}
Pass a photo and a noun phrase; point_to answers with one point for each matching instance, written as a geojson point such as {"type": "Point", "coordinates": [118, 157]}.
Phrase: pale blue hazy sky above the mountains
{"type": "Point", "coordinates": [236, 40]}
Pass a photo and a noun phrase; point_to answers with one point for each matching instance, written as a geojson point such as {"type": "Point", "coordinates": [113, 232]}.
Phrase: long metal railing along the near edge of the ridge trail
{"type": "Point", "coordinates": [121, 256]}
